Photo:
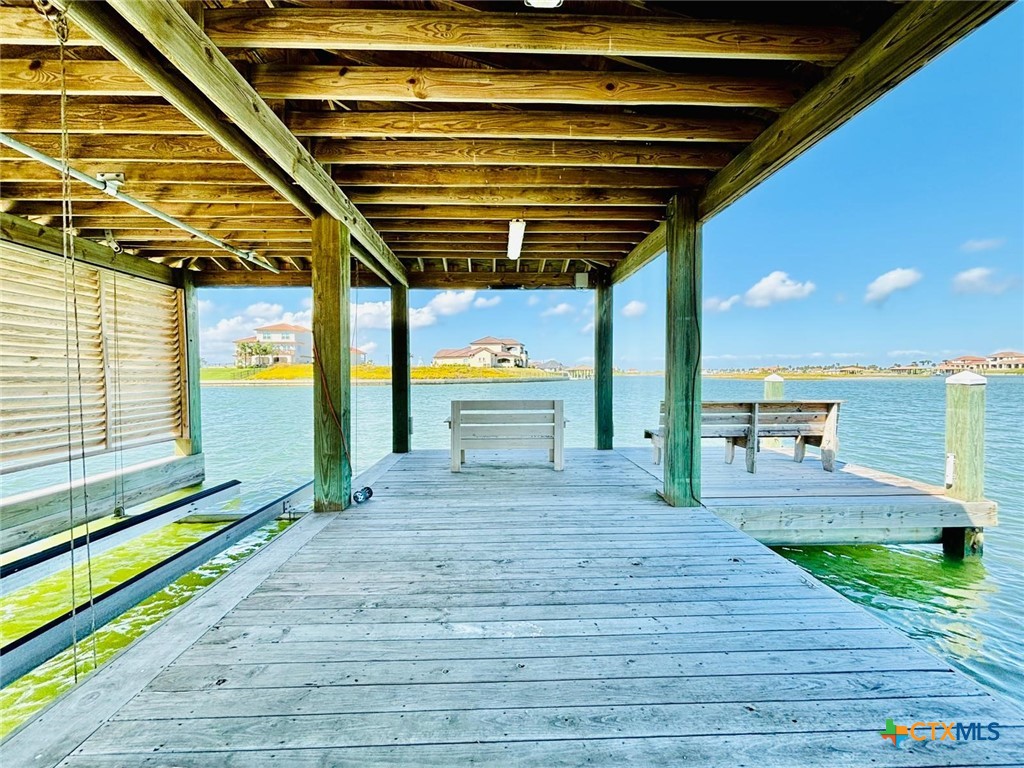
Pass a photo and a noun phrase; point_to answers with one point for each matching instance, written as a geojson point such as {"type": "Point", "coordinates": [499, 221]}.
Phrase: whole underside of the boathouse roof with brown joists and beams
{"type": "Point", "coordinates": [428, 125]}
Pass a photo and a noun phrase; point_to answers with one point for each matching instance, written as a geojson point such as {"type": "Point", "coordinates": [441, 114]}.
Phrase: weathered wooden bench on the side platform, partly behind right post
{"type": "Point", "coordinates": [744, 424]}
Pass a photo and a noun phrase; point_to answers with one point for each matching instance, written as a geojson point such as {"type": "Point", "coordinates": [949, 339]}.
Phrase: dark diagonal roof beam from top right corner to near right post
{"type": "Point", "coordinates": [915, 35]}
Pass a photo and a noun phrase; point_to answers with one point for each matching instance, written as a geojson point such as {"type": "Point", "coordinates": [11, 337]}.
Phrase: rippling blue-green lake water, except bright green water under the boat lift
{"type": "Point", "coordinates": [969, 614]}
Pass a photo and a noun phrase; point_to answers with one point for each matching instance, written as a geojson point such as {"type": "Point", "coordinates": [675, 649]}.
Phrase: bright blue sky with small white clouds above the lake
{"type": "Point", "coordinates": [901, 237]}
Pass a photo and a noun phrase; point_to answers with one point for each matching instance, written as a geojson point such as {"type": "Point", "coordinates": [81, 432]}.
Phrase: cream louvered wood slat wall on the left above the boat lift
{"type": "Point", "coordinates": [90, 360]}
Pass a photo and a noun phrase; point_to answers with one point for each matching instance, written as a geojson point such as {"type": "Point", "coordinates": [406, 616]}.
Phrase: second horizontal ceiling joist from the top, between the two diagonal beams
{"type": "Point", "coordinates": [318, 82]}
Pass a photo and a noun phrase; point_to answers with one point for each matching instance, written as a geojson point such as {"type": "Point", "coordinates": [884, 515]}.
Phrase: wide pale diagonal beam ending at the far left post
{"type": "Point", "coordinates": [169, 28]}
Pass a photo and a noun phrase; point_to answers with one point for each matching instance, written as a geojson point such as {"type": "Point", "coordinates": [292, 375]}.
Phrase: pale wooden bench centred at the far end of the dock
{"type": "Point", "coordinates": [492, 425]}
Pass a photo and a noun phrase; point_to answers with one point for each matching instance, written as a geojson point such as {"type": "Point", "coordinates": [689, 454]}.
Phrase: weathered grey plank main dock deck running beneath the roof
{"type": "Point", "coordinates": [510, 615]}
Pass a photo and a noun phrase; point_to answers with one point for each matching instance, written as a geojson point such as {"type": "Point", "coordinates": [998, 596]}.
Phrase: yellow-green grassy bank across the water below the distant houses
{"type": "Point", "coordinates": [305, 372]}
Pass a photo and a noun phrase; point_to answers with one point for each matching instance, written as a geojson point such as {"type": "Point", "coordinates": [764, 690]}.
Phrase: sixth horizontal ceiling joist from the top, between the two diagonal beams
{"type": "Point", "coordinates": [529, 196]}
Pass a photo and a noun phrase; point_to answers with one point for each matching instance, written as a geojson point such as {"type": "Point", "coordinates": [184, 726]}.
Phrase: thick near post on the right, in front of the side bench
{"type": "Point", "coordinates": [682, 355]}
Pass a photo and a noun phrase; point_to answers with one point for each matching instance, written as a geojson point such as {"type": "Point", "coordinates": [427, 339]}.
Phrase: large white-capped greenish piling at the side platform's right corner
{"type": "Point", "coordinates": [965, 457]}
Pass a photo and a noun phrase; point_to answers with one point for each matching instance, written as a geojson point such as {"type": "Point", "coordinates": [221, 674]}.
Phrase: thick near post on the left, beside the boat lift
{"type": "Point", "coordinates": [332, 389]}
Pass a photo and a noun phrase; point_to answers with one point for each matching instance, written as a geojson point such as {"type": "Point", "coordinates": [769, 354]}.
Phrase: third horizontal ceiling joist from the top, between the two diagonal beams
{"type": "Point", "coordinates": [523, 125]}
